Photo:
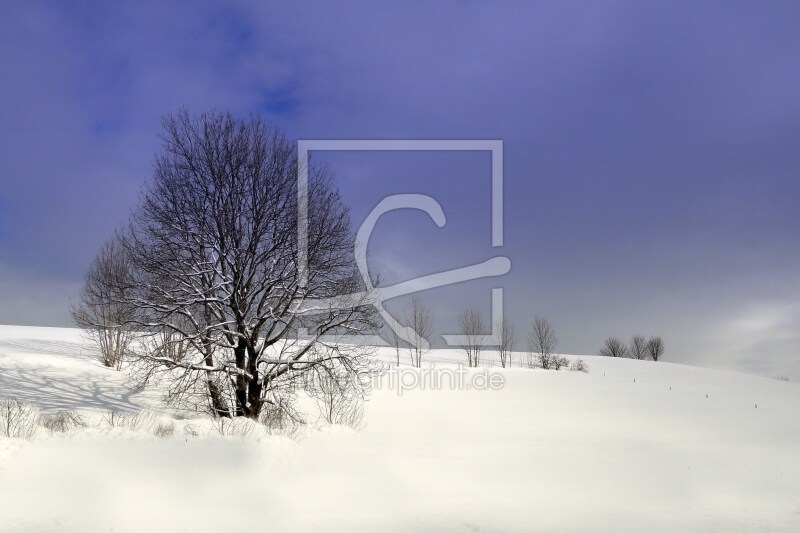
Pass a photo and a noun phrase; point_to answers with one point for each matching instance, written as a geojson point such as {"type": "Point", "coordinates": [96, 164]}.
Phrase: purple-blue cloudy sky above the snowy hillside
{"type": "Point", "coordinates": [652, 158]}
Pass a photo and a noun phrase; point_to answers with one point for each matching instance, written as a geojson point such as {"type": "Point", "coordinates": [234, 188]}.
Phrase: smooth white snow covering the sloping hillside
{"type": "Point", "coordinates": [628, 446]}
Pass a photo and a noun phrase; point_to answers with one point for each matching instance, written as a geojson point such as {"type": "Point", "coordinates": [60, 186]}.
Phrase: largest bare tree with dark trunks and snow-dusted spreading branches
{"type": "Point", "coordinates": [217, 258]}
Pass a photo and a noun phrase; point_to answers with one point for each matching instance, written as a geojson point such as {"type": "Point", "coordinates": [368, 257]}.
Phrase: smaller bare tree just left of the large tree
{"type": "Point", "coordinates": [104, 313]}
